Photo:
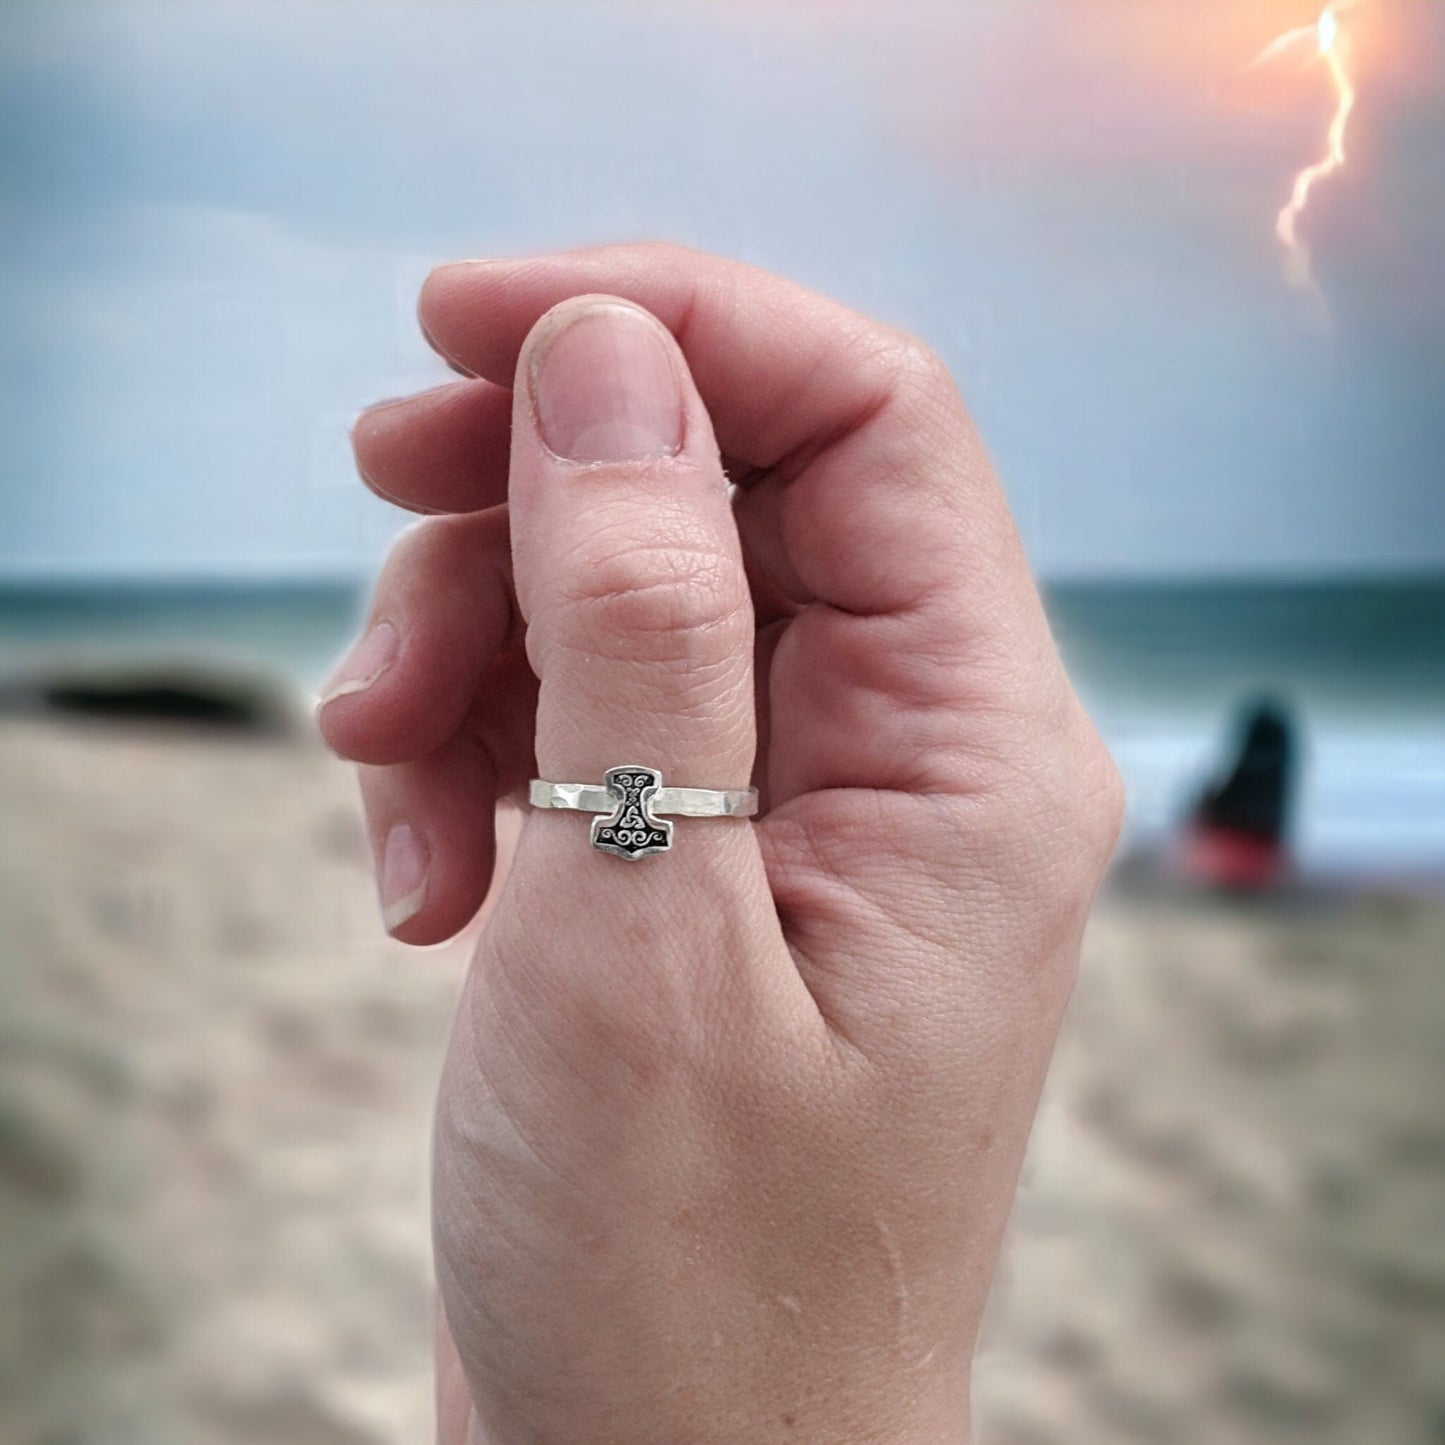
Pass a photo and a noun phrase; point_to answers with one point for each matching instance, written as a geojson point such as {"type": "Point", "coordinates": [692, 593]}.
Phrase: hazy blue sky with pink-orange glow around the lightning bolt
{"type": "Point", "coordinates": [216, 219]}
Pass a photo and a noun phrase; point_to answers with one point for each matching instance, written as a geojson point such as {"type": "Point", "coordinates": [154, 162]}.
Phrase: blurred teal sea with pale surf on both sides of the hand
{"type": "Point", "coordinates": [1163, 668]}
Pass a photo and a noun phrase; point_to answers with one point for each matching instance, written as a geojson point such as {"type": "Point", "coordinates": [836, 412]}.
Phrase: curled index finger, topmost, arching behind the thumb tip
{"type": "Point", "coordinates": [898, 501]}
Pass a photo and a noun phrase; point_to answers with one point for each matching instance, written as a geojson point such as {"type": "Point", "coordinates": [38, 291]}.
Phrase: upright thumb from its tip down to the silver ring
{"type": "Point", "coordinates": [628, 561]}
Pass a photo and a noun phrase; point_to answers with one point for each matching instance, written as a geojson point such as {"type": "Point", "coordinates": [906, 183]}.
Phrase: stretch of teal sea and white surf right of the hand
{"type": "Point", "coordinates": [1165, 668]}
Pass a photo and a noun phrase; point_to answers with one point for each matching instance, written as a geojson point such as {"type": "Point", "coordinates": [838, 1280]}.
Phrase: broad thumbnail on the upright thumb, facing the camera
{"type": "Point", "coordinates": [606, 388]}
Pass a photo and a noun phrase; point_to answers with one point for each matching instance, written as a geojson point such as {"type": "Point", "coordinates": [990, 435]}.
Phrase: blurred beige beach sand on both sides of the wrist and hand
{"type": "Point", "coordinates": [215, 1103]}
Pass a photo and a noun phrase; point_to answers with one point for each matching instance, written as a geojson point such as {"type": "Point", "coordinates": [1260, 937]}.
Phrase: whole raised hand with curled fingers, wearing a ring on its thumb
{"type": "Point", "coordinates": [726, 1138]}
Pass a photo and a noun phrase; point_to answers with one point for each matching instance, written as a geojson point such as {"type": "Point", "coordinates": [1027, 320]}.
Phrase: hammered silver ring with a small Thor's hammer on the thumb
{"type": "Point", "coordinates": [635, 801]}
